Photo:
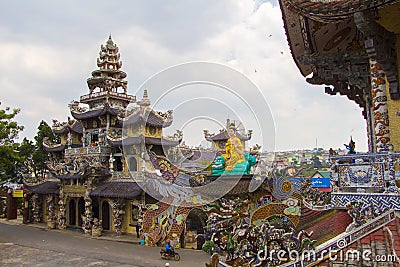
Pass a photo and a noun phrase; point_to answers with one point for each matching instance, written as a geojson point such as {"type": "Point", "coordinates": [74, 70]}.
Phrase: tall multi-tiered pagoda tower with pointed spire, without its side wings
{"type": "Point", "coordinates": [88, 165]}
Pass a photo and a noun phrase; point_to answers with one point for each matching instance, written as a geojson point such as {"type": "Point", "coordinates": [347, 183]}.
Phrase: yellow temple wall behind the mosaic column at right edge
{"type": "Point", "coordinates": [394, 107]}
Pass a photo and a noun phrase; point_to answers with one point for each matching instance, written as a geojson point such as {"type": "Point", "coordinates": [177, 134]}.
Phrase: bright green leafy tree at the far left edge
{"type": "Point", "coordinates": [9, 158]}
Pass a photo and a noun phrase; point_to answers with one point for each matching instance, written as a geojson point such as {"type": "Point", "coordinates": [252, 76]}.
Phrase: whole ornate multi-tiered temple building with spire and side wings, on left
{"type": "Point", "coordinates": [92, 184]}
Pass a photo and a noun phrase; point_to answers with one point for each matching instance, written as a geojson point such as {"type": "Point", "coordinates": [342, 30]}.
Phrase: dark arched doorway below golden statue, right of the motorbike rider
{"type": "Point", "coordinates": [195, 223]}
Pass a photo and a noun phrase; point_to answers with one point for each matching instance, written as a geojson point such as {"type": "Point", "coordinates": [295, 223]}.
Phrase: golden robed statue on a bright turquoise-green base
{"type": "Point", "coordinates": [235, 161]}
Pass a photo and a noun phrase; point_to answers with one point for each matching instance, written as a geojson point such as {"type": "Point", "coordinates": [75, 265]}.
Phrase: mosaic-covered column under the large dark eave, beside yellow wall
{"type": "Point", "coordinates": [379, 107]}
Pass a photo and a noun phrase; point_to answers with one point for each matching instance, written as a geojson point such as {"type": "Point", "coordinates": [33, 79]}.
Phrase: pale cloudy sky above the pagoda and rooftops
{"type": "Point", "coordinates": [49, 49]}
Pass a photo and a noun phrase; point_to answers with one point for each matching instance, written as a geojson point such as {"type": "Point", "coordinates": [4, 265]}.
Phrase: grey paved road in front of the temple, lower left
{"type": "Point", "coordinates": [24, 245]}
